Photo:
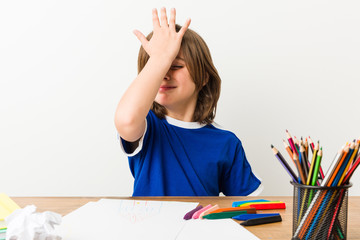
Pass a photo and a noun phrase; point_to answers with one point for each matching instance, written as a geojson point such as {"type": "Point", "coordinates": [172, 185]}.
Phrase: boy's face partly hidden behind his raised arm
{"type": "Point", "coordinates": [177, 92]}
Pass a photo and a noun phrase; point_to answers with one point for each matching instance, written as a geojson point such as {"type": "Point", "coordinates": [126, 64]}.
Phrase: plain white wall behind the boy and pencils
{"type": "Point", "coordinates": [65, 64]}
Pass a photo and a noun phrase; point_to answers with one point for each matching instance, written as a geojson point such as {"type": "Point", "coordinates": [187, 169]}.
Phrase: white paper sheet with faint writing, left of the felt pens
{"type": "Point", "coordinates": [125, 219]}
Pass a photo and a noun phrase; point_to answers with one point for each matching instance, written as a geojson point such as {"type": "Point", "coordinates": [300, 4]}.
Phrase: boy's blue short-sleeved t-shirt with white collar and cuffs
{"type": "Point", "coordinates": [176, 158]}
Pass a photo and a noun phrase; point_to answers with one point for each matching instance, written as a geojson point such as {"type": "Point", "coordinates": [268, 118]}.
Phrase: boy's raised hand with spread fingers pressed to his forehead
{"type": "Point", "coordinates": [165, 42]}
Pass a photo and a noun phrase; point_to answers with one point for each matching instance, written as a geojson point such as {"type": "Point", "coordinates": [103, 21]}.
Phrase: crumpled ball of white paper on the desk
{"type": "Point", "coordinates": [26, 224]}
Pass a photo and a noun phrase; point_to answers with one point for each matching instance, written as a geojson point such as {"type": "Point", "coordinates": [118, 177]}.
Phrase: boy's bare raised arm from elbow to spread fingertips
{"type": "Point", "coordinates": [162, 48]}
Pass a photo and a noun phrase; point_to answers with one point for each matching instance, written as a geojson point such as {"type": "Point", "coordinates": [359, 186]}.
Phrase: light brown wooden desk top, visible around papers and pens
{"type": "Point", "coordinates": [273, 231]}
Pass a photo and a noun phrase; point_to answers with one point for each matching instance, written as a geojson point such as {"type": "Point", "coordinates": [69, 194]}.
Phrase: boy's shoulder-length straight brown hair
{"type": "Point", "coordinates": [203, 72]}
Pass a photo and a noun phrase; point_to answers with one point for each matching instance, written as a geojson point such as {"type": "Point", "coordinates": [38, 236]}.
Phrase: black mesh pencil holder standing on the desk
{"type": "Point", "coordinates": [320, 212]}
